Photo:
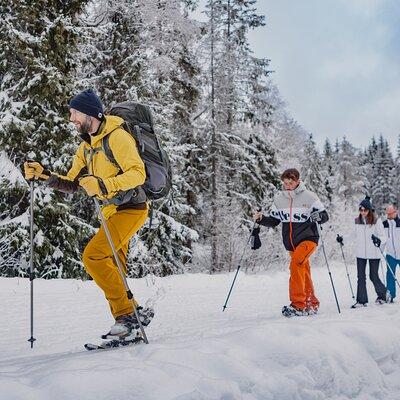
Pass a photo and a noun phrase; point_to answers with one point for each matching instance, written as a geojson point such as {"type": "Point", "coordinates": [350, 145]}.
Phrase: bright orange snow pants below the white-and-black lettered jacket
{"type": "Point", "coordinates": [301, 289]}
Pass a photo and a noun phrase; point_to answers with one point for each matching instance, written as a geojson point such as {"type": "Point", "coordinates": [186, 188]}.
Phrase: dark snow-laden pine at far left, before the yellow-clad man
{"type": "Point", "coordinates": [37, 68]}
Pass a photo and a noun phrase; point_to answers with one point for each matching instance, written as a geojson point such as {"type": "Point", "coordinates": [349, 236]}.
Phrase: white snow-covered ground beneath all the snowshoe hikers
{"type": "Point", "coordinates": [196, 351]}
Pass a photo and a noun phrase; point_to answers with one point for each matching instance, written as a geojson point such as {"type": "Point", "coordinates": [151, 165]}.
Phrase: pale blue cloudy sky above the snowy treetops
{"type": "Point", "coordinates": [336, 64]}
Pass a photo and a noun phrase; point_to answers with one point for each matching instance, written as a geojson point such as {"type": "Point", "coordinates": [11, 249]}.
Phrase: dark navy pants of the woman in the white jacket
{"type": "Point", "coordinates": [380, 288]}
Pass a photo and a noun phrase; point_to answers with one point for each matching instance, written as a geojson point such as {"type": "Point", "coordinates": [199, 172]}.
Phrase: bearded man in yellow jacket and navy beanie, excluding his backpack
{"type": "Point", "coordinates": [119, 191]}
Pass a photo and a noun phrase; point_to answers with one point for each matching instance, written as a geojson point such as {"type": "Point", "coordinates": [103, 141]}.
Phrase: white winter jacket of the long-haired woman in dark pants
{"type": "Point", "coordinates": [365, 247]}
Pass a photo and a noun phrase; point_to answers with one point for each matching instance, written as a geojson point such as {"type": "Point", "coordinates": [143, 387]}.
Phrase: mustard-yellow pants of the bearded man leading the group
{"type": "Point", "coordinates": [99, 261]}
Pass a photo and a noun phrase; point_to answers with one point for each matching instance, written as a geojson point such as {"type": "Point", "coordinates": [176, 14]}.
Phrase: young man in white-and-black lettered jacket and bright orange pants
{"type": "Point", "coordinates": [299, 210]}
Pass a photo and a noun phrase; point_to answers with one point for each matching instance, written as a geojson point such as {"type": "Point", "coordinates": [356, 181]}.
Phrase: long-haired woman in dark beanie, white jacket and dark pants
{"type": "Point", "coordinates": [366, 225]}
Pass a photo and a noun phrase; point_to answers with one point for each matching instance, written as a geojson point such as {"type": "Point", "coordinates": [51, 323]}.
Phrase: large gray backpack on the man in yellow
{"type": "Point", "coordinates": [138, 121]}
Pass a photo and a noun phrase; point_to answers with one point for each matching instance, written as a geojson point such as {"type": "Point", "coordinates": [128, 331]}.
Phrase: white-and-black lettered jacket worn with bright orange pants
{"type": "Point", "coordinates": [293, 209]}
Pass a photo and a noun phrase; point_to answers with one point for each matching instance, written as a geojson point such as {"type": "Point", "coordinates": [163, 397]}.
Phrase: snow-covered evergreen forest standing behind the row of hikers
{"type": "Point", "coordinates": [218, 114]}
